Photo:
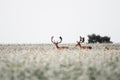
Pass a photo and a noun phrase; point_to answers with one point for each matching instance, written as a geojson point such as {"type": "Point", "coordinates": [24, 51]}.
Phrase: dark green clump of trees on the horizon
{"type": "Point", "coordinates": [93, 38]}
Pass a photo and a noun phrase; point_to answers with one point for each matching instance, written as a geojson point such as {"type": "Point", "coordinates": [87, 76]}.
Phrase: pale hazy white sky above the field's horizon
{"type": "Point", "coordinates": [35, 21]}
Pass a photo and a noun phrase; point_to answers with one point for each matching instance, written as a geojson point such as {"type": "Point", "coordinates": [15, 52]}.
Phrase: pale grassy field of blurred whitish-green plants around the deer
{"type": "Point", "coordinates": [44, 62]}
